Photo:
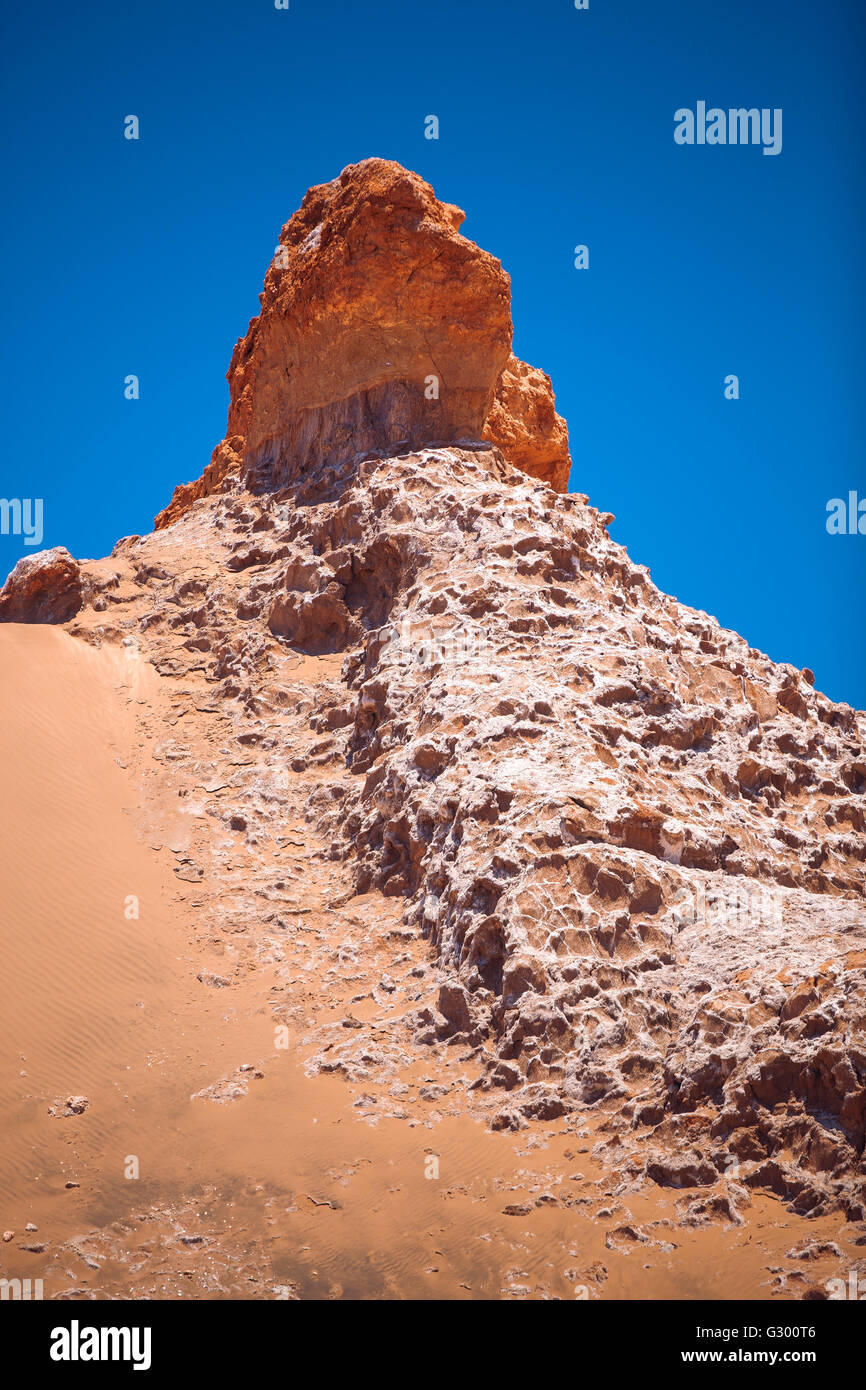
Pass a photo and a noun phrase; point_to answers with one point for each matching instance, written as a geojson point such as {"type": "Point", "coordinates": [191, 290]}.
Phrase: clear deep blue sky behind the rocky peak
{"type": "Point", "coordinates": [557, 129]}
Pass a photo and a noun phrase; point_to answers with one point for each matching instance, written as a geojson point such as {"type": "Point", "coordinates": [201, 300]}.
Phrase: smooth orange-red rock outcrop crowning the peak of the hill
{"type": "Point", "coordinates": [382, 330]}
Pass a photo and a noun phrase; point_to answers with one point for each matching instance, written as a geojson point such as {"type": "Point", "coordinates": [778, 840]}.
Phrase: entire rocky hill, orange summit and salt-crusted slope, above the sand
{"type": "Point", "coordinates": [635, 843]}
